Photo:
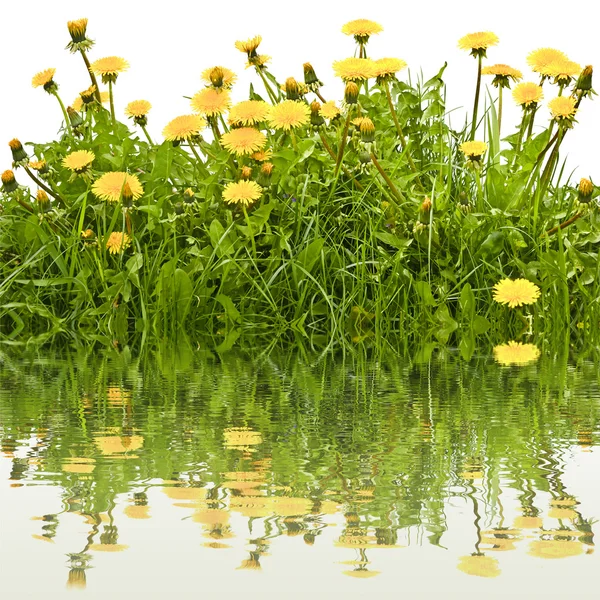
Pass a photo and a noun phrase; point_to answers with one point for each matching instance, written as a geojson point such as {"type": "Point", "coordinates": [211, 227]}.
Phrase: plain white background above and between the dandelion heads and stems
{"type": "Point", "coordinates": [168, 44]}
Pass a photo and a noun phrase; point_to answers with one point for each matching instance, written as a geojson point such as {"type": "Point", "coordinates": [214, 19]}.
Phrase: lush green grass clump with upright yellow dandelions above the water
{"type": "Point", "coordinates": [366, 220]}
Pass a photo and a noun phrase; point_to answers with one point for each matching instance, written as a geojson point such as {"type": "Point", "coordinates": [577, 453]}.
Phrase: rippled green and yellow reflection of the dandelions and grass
{"type": "Point", "coordinates": [359, 458]}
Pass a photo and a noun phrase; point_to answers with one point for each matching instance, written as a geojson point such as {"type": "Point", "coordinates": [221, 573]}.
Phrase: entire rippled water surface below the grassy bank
{"type": "Point", "coordinates": [287, 476]}
